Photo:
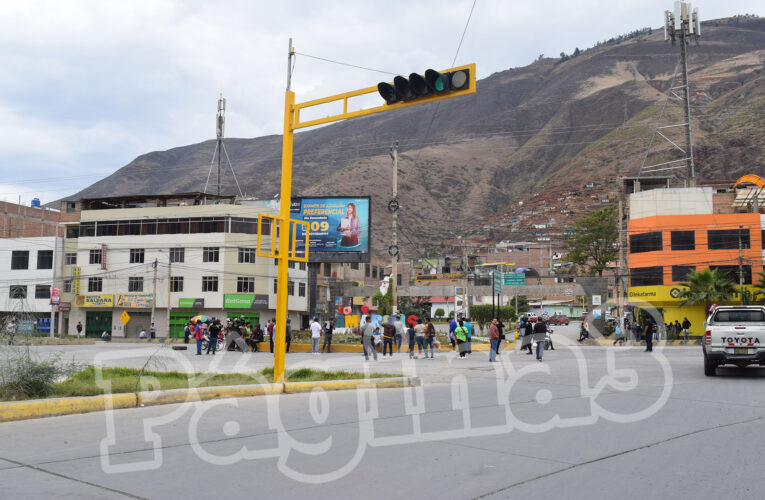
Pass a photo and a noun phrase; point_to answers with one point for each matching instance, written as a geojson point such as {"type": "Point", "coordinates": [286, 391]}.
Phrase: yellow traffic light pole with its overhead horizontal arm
{"type": "Point", "coordinates": [291, 123]}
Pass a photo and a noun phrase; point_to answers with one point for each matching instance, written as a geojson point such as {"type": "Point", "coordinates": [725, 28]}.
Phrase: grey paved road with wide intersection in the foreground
{"type": "Point", "coordinates": [652, 427]}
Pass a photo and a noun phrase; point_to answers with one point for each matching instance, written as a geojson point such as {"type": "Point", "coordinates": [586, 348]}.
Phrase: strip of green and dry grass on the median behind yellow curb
{"type": "Point", "coordinates": [127, 380]}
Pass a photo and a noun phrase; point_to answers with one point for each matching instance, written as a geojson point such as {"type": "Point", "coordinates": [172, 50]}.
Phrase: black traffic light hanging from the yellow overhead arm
{"type": "Point", "coordinates": [418, 86]}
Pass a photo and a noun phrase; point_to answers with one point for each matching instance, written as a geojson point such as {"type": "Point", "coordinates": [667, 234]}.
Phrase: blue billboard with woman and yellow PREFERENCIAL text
{"type": "Point", "coordinates": [339, 227]}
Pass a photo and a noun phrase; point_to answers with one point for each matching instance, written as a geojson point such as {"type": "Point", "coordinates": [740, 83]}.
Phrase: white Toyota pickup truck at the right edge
{"type": "Point", "coordinates": [734, 335]}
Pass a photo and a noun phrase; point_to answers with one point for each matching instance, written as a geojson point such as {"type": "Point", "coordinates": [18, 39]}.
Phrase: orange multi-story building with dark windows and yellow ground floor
{"type": "Point", "coordinates": [677, 230]}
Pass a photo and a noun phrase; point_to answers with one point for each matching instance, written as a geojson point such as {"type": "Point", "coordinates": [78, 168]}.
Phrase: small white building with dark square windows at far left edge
{"type": "Point", "coordinates": [27, 275]}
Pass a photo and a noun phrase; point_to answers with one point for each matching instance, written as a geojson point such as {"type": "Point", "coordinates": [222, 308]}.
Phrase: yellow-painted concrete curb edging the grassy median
{"type": "Point", "coordinates": [39, 408]}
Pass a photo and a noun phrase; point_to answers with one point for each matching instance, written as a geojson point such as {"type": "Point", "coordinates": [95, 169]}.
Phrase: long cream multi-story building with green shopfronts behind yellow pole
{"type": "Point", "coordinates": [168, 258]}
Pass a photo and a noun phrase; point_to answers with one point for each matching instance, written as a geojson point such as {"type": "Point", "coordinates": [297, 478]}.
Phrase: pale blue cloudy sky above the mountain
{"type": "Point", "coordinates": [87, 86]}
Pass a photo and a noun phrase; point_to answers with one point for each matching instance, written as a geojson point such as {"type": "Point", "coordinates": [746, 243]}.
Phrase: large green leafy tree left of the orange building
{"type": "Point", "coordinates": [595, 240]}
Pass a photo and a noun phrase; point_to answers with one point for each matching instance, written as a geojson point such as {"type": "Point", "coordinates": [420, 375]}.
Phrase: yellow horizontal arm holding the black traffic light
{"type": "Point", "coordinates": [297, 124]}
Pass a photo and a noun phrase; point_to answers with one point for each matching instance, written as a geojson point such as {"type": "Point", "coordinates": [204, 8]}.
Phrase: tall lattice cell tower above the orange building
{"type": "Point", "coordinates": [682, 24]}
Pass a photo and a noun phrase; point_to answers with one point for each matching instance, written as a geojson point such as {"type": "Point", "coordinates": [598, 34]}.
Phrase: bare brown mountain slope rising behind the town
{"type": "Point", "coordinates": [537, 134]}
